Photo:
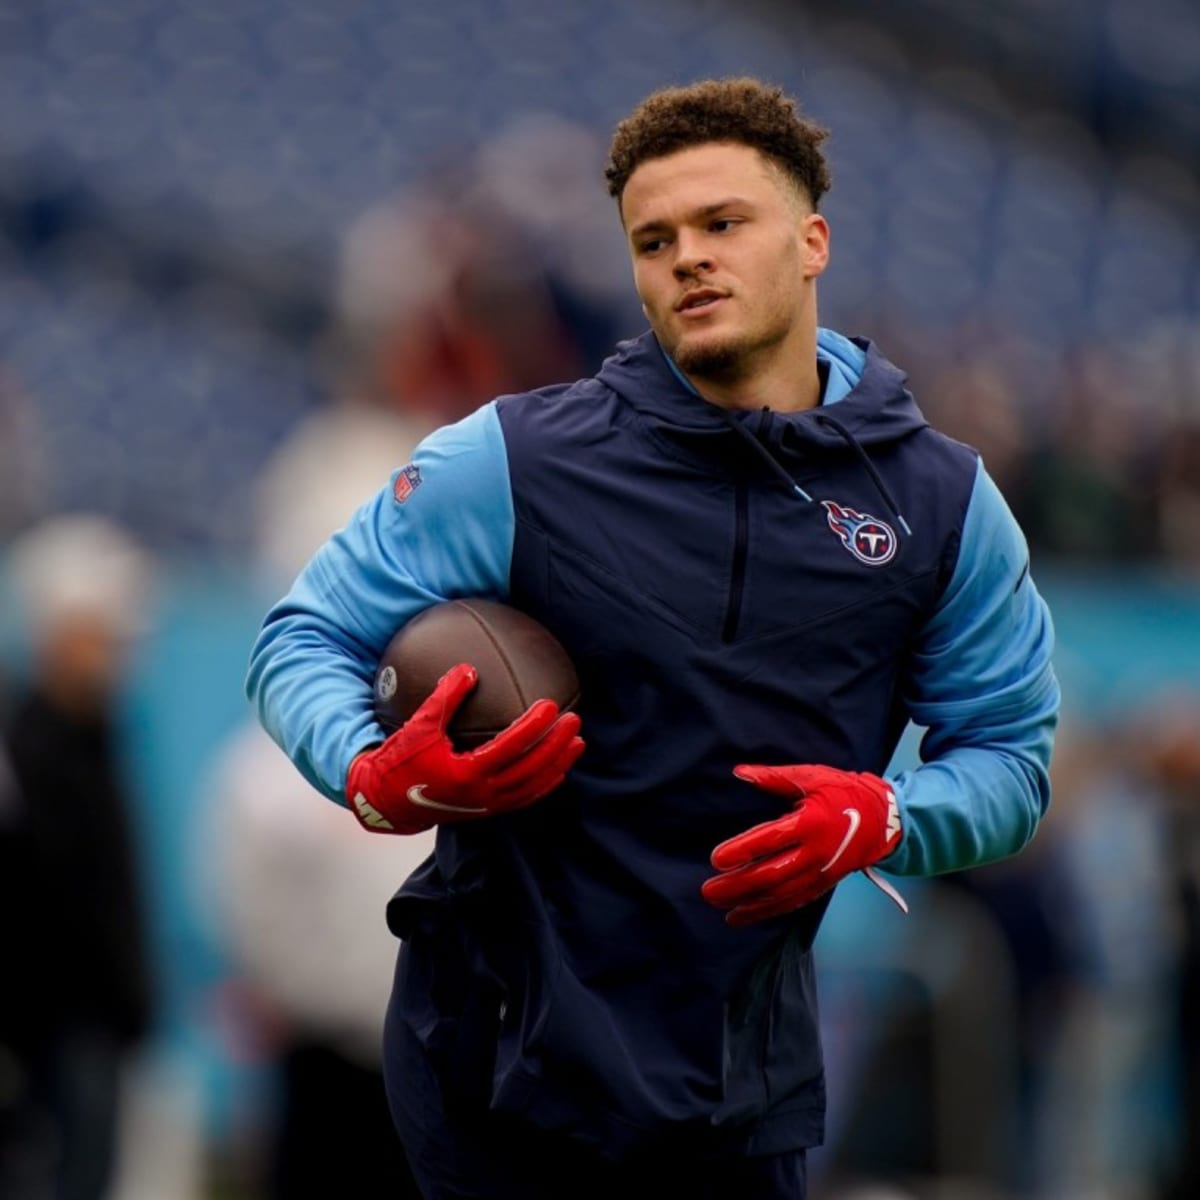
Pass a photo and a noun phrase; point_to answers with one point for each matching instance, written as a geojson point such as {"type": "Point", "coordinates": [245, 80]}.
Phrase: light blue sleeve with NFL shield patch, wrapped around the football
{"type": "Point", "coordinates": [313, 667]}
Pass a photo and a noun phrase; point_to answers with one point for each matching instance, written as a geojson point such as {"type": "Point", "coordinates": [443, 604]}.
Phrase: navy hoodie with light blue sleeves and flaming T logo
{"type": "Point", "coordinates": [734, 587]}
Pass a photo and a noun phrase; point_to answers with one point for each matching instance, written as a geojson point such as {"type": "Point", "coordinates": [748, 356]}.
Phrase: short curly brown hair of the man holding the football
{"type": "Point", "coordinates": [739, 110]}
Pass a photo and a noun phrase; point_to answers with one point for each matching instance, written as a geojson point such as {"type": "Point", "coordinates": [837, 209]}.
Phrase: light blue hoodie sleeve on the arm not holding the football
{"type": "Point", "coordinates": [983, 687]}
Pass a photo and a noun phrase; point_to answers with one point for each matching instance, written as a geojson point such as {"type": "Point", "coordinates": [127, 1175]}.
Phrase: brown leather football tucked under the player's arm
{"type": "Point", "coordinates": [519, 662]}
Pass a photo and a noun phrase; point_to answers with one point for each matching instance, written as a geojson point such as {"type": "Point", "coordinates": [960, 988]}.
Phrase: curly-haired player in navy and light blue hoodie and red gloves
{"type": "Point", "coordinates": [764, 563]}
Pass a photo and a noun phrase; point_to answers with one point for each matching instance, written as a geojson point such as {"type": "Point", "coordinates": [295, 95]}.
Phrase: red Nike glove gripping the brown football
{"type": "Point", "coordinates": [417, 779]}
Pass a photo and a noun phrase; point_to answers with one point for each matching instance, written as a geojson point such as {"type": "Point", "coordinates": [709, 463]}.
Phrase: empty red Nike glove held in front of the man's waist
{"type": "Point", "coordinates": [844, 821]}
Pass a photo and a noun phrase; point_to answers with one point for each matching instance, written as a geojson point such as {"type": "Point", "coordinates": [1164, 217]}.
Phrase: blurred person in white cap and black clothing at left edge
{"type": "Point", "coordinates": [79, 994]}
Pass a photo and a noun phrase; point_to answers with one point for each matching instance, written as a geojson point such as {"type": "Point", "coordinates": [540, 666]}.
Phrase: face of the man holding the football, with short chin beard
{"type": "Point", "coordinates": [727, 253]}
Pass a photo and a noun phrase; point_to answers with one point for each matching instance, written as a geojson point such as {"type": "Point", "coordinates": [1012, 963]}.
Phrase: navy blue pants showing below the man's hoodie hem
{"type": "Point", "coordinates": [481, 1156]}
